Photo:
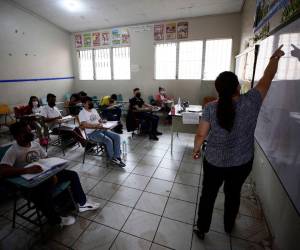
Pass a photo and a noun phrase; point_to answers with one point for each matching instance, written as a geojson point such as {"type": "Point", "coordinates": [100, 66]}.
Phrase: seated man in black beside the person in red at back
{"type": "Point", "coordinates": [143, 111]}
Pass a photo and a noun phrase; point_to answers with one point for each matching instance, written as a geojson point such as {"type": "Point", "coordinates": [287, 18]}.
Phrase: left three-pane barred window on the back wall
{"type": "Point", "coordinates": [97, 64]}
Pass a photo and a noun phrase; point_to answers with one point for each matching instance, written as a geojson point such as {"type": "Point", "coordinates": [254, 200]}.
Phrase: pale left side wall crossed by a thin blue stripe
{"type": "Point", "coordinates": [49, 56]}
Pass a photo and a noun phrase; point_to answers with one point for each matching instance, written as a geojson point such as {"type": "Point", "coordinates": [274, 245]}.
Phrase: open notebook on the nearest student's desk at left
{"type": "Point", "coordinates": [46, 164]}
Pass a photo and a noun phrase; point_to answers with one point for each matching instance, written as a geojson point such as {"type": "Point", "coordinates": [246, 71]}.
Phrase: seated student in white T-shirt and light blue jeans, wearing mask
{"type": "Point", "coordinates": [92, 123]}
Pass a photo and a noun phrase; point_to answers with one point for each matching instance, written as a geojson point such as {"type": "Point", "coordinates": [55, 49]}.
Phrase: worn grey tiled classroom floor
{"type": "Point", "coordinates": [150, 204]}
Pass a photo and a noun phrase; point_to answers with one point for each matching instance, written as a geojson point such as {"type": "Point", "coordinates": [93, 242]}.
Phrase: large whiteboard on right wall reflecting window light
{"type": "Point", "coordinates": [278, 125]}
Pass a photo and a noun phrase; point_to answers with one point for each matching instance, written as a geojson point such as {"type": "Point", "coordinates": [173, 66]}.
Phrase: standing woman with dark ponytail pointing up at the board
{"type": "Point", "coordinates": [228, 125]}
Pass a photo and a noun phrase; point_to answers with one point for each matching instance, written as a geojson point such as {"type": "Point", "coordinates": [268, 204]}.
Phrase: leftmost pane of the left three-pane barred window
{"type": "Point", "coordinates": [86, 69]}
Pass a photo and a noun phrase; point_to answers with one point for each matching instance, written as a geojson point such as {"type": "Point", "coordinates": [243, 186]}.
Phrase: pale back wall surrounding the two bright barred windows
{"type": "Point", "coordinates": [142, 54]}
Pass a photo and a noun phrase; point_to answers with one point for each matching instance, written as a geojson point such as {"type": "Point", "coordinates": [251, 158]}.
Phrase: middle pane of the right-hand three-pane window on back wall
{"type": "Point", "coordinates": [190, 60]}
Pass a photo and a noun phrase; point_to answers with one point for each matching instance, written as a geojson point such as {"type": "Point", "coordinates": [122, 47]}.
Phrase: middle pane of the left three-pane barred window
{"type": "Point", "coordinates": [102, 64]}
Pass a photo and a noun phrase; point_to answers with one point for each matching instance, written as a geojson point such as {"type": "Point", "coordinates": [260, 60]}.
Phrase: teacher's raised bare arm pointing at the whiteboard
{"type": "Point", "coordinates": [269, 73]}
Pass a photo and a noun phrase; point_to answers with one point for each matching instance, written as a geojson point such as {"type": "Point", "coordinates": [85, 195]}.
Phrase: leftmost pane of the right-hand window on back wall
{"type": "Point", "coordinates": [165, 61]}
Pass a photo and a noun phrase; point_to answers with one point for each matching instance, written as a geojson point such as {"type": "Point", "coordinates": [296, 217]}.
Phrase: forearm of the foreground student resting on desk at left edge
{"type": "Point", "coordinates": [9, 171]}
